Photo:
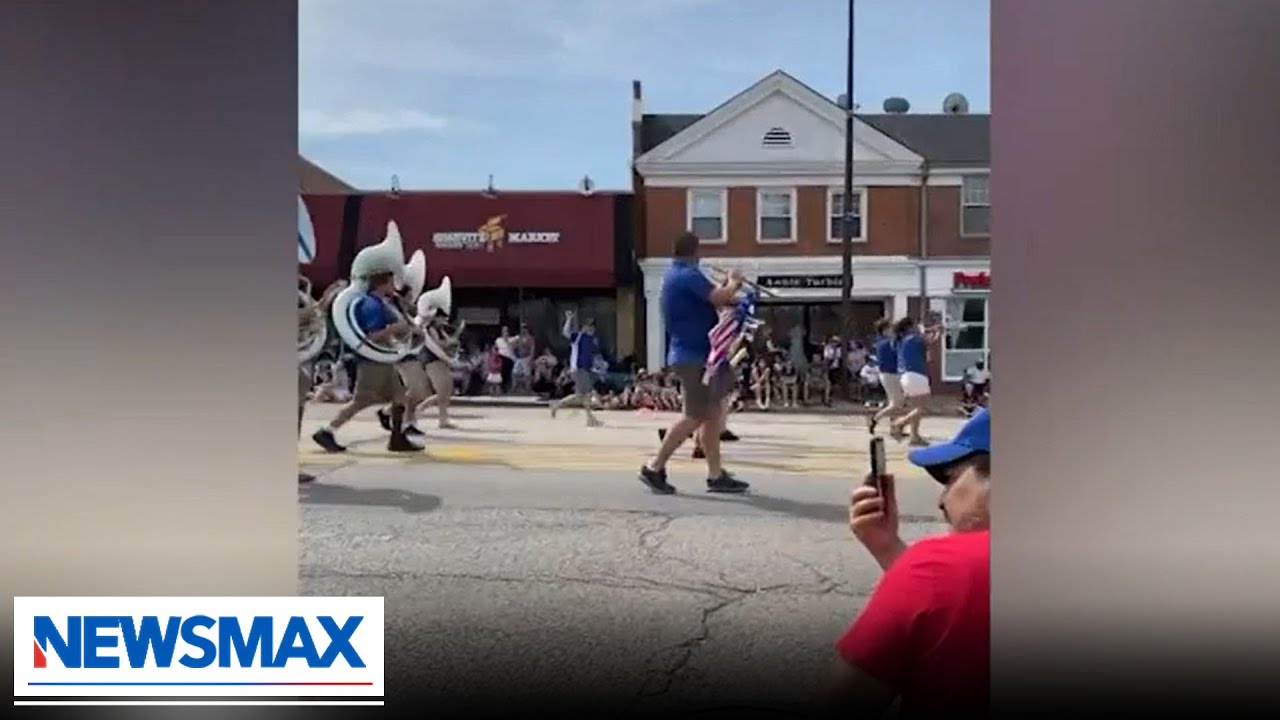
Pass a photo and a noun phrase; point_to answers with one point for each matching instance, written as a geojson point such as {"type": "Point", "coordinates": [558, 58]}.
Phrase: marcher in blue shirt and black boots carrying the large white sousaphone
{"type": "Point", "coordinates": [377, 384]}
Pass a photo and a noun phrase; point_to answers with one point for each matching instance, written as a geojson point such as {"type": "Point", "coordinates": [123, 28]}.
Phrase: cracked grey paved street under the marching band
{"type": "Point", "coordinates": [520, 557]}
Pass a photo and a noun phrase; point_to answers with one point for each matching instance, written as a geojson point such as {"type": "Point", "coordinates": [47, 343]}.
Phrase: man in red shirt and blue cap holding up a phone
{"type": "Point", "coordinates": [925, 636]}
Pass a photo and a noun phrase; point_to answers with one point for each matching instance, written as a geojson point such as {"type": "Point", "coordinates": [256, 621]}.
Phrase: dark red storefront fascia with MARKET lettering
{"type": "Point", "coordinates": [538, 240]}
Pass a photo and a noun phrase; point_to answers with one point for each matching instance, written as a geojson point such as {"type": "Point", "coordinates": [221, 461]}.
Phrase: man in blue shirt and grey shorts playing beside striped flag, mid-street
{"type": "Point", "coordinates": [689, 303]}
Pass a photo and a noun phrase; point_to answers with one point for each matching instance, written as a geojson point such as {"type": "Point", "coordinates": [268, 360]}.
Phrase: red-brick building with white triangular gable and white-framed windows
{"type": "Point", "coordinates": [760, 179]}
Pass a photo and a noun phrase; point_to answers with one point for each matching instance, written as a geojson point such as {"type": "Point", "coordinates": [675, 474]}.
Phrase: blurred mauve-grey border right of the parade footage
{"type": "Point", "coordinates": [1135, 180]}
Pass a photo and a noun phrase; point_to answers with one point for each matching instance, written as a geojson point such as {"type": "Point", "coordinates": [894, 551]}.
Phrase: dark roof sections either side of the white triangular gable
{"type": "Point", "coordinates": [943, 140]}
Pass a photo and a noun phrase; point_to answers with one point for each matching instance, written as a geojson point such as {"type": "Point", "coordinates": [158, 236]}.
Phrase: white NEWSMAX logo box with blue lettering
{"type": "Point", "coordinates": [225, 648]}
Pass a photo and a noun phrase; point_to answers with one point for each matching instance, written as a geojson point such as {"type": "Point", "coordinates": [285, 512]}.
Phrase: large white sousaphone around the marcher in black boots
{"type": "Point", "coordinates": [387, 257]}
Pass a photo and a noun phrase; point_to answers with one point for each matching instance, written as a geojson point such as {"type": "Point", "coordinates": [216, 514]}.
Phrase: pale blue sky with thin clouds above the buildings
{"type": "Point", "coordinates": [444, 94]}
